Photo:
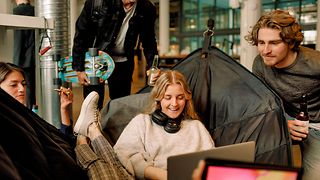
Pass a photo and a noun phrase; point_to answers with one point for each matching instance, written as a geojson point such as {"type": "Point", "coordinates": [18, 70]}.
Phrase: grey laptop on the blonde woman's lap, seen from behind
{"type": "Point", "coordinates": [181, 166]}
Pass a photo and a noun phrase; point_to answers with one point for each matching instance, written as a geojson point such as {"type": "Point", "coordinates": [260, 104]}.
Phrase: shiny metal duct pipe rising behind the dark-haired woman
{"type": "Point", "coordinates": [49, 104]}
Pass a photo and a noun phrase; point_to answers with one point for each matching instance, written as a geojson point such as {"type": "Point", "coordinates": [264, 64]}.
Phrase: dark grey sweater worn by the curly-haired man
{"type": "Point", "coordinates": [290, 83]}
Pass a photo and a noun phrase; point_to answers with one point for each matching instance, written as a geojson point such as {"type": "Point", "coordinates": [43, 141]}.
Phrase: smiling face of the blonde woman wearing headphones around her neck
{"type": "Point", "coordinates": [173, 101]}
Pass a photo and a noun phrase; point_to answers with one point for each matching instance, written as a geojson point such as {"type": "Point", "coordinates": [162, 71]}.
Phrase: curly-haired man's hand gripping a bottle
{"type": "Point", "coordinates": [298, 129]}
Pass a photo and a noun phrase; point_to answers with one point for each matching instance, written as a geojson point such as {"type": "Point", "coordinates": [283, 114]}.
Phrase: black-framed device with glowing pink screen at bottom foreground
{"type": "Point", "coordinates": [223, 169]}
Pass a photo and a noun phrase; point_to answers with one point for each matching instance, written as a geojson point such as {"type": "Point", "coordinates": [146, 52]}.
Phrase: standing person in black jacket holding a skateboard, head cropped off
{"type": "Point", "coordinates": [114, 26]}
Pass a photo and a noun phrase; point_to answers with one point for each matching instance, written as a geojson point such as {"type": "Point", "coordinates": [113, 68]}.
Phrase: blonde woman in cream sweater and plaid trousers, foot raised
{"type": "Point", "coordinates": [166, 129]}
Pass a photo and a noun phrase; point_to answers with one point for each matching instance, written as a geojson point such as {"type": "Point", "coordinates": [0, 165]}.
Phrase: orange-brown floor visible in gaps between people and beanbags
{"type": "Point", "coordinates": [137, 84]}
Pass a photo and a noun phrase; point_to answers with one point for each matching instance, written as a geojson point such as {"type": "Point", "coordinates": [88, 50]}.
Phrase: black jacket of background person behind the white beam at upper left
{"type": "Point", "coordinates": [24, 48]}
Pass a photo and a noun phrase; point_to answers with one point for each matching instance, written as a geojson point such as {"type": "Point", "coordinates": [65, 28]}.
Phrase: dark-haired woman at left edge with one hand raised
{"type": "Point", "coordinates": [13, 81]}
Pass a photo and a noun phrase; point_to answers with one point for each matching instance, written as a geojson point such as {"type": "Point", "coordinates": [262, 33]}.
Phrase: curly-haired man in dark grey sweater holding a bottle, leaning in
{"type": "Point", "coordinates": [291, 71]}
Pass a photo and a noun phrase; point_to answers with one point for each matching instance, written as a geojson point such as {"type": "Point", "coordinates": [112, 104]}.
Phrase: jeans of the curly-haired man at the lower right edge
{"type": "Point", "coordinates": [311, 155]}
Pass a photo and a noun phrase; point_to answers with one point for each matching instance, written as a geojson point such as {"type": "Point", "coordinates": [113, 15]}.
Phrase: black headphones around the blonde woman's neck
{"type": "Point", "coordinates": [170, 125]}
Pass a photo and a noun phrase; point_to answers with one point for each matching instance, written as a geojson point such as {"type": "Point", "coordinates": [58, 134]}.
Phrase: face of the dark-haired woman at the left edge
{"type": "Point", "coordinates": [15, 85]}
